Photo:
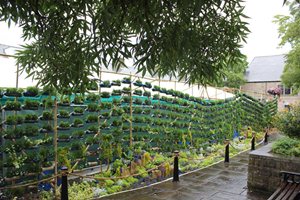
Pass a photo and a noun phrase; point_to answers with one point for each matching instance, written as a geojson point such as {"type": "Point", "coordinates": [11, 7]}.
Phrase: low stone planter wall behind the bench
{"type": "Point", "coordinates": [264, 168]}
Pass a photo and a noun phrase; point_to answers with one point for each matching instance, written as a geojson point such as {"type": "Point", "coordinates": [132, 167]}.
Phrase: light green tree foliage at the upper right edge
{"type": "Point", "coordinates": [289, 30]}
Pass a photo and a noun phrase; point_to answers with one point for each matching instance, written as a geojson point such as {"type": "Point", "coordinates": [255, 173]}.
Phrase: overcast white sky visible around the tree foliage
{"type": "Point", "coordinates": [263, 39]}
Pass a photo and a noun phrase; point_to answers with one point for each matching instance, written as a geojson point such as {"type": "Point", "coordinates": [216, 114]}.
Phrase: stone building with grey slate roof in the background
{"type": "Point", "coordinates": [262, 74]}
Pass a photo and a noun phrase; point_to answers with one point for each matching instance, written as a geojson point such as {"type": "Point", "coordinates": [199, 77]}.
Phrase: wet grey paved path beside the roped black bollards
{"type": "Point", "coordinates": [218, 182]}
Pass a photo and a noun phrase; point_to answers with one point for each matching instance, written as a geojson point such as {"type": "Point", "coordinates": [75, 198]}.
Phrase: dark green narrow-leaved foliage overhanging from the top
{"type": "Point", "coordinates": [190, 39]}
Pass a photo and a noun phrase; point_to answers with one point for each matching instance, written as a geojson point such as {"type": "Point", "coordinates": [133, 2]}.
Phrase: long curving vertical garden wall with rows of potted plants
{"type": "Point", "coordinates": [94, 130]}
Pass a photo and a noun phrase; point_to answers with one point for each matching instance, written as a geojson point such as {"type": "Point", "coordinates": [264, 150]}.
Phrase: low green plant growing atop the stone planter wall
{"type": "Point", "coordinates": [287, 146]}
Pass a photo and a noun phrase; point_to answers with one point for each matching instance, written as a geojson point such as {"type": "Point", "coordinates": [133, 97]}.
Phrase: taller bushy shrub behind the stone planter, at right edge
{"type": "Point", "coordinates": [289, 122]}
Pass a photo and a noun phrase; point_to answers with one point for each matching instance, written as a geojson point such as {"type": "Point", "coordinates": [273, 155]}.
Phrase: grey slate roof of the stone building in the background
{"type": "Point", "coordinates": [265, 69]}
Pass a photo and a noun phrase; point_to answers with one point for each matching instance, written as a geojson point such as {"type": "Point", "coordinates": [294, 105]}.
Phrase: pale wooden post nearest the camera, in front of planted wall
{"type": "Point", "coordinates": [55, 146]}
